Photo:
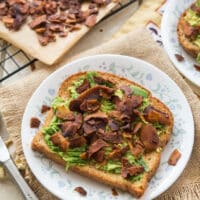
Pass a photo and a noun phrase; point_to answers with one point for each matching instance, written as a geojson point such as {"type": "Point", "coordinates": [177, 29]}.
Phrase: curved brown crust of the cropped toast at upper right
{"type": "Point", "coordinates": [188, 46]}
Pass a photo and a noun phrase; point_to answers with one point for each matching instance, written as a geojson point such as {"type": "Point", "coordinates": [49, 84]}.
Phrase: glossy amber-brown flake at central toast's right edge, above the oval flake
{"type": "Point", "coordinates": [152, 114]}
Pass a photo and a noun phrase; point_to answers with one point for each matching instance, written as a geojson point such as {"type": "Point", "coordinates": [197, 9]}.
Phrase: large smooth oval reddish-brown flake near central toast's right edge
{"type": "Point", "coordinates": [149, 137]}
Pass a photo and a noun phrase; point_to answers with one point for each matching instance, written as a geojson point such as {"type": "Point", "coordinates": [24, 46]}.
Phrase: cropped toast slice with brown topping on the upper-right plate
{"type": "Point", "coordinates": [187, 33]}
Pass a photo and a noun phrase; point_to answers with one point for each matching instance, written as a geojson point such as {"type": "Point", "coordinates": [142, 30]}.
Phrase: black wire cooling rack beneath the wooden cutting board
{"type": "Point", "coordinates": [13, 60]}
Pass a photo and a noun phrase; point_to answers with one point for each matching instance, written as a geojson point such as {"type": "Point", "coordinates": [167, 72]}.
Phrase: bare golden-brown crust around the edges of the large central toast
{"type": "Point", "coordinates": [152, 159]}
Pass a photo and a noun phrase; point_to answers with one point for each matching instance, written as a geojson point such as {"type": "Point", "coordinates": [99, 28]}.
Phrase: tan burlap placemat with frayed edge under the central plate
{"type": "Point", "coordinates": [13, 100]}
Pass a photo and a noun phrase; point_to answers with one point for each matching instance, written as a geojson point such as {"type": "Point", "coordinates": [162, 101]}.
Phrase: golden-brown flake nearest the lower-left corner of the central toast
{"type": "Point", "coordinates": [59, 141]}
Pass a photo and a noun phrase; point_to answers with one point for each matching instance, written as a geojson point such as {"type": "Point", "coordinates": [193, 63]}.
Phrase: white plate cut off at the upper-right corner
{"type": "Point", "coordinates": [173, 11]}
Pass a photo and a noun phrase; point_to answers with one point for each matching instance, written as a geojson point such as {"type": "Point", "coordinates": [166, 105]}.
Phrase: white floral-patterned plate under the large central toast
{"type": "Point", "coordinates": [62, 184]}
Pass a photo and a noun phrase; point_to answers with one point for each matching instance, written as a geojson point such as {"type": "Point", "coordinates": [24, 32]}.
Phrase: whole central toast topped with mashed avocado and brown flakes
{"type": "Point", "coordinates": [107, 128]}
